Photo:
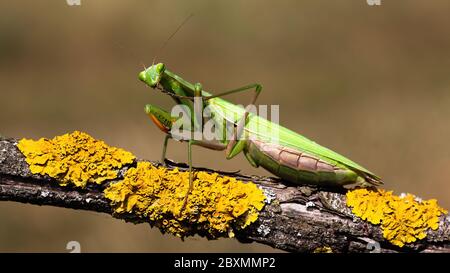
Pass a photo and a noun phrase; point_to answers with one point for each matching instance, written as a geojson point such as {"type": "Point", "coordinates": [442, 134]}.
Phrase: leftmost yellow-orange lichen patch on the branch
{"type": "Point", "coordinates": [74, 158]}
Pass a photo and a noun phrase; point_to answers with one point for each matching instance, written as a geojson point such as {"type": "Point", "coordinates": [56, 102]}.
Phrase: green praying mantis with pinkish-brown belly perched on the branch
{"type": "Point", "coordinates": [282, 152]}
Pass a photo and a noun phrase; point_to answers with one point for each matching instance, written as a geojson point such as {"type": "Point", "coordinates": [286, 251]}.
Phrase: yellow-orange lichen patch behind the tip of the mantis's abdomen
{"type": "Point", "coordinates": [404, 219]}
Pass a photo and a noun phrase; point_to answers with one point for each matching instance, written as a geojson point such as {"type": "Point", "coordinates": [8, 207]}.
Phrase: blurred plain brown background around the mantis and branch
{"type": "Point", "coordinates": [369, 82]}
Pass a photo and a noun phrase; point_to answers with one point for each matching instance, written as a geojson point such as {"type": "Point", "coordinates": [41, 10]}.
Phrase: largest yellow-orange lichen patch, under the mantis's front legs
{"type": "Point", "coordinates": [216, 205]}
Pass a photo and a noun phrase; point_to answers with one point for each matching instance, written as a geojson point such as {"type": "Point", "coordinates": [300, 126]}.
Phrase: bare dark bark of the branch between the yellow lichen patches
{"type": "Point", "coordinates": [298, 219]}
